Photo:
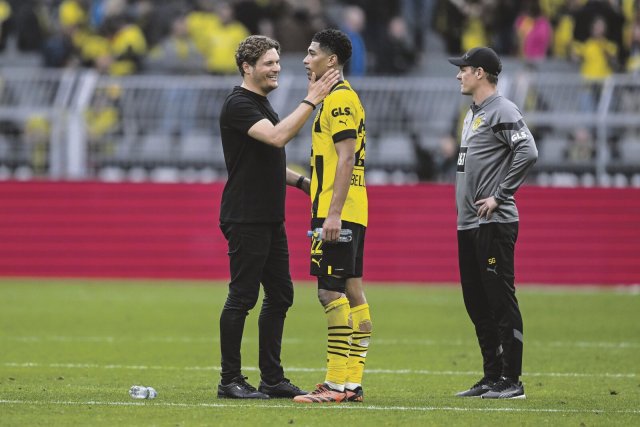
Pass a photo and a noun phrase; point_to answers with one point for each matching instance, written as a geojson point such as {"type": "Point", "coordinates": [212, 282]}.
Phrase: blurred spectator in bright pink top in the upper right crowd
{"type": "Point", "coordinates": [534, 32]}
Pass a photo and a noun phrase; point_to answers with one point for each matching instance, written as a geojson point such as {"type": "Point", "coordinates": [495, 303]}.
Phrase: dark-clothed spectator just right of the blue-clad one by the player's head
{"type": "Point", "coordinates": [397, 53]}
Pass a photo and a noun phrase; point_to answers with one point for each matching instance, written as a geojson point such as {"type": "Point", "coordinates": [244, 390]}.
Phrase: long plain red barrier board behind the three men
{"type": "Point", "coordinates": [567, 236]}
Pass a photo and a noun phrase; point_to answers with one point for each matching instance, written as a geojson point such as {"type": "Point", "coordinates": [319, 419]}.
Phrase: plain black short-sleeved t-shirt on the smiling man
{"type": "Point", "coordinates": [256, 185]}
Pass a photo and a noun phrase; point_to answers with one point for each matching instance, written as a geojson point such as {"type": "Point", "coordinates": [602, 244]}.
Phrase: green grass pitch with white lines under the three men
{"type": "Point", "coordinates": [70, 350]}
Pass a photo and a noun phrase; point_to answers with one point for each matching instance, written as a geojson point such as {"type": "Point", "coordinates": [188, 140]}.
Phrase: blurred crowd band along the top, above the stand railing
{"type": "Point", "coordinates": [121, 37]}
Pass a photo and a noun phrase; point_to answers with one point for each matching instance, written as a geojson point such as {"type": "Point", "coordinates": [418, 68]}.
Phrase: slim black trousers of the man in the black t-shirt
{"type": "Point", "coordinates": [258, 253]}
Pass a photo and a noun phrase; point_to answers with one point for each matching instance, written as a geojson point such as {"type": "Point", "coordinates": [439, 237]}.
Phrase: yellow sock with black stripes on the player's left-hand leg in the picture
{"type": "Point", "coordinates": [338, 340]}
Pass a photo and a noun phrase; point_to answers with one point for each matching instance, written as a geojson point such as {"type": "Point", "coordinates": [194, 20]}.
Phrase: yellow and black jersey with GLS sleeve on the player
{"type": "Point", "coordinates": [340, 117]}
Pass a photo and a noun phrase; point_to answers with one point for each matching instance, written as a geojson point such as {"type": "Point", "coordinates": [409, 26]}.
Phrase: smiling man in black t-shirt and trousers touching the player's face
{"type": "Point", "coordinates": [252, 215]}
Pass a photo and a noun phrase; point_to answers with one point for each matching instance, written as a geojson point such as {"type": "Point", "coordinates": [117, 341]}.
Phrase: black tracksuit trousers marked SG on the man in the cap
{"type": "Point", "coordinates": [486, 260]}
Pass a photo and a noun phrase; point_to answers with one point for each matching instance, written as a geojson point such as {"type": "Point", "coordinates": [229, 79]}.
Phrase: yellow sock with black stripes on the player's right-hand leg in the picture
{"type": "Point", "coordinates": [361, 319]}
